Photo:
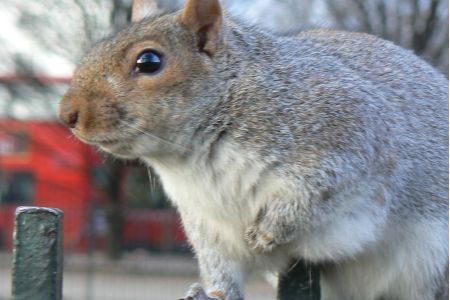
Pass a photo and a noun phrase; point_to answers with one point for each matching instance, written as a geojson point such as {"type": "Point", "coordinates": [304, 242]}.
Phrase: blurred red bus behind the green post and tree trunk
{"type": "Point", "coordinates": [42, 164]}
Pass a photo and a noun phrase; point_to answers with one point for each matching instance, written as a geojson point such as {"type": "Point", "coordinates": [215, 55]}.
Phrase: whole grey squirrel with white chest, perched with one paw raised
{"type": "Point", "coordinates": [326, 146]}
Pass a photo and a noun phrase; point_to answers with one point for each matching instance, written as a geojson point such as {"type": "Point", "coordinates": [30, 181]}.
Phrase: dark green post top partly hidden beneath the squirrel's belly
{"type": "Point", "coordinates": [300, 282]}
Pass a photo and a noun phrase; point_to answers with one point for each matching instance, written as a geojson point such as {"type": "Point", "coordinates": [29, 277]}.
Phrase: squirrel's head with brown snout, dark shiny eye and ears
{"type": "Point", "coordinates": [139, 92]}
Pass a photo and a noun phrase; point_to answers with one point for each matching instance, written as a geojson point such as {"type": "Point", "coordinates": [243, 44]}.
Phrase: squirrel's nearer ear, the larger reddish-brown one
{"type": "Point", "coordinates": [204, 18]}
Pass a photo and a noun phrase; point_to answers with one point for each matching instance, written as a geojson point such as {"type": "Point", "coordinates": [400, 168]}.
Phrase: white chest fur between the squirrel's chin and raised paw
{"type": "Point", "coordinates": [225, 193]}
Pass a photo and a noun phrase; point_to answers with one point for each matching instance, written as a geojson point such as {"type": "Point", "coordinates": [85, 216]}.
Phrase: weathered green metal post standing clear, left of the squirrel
{"type": "Point", "coordinates": [37, 254]}
